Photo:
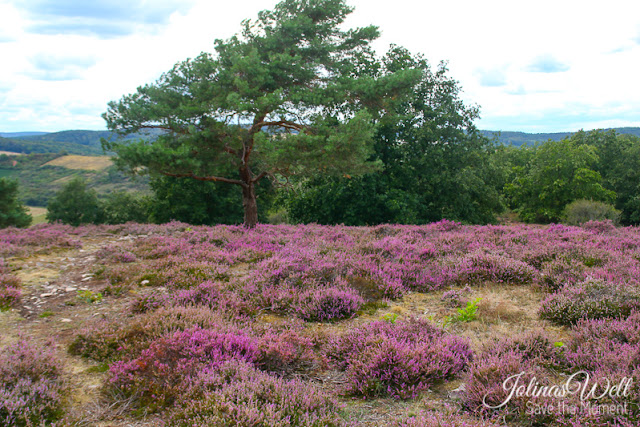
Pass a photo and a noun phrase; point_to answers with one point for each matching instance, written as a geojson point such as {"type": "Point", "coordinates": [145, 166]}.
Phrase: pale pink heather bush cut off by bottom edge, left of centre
{"type": "Point", "coordinates": [235, 394]}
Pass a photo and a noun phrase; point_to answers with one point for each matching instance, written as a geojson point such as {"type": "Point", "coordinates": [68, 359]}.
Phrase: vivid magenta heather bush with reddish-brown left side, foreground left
{"type": "Point", "coordinates": [158, 374]}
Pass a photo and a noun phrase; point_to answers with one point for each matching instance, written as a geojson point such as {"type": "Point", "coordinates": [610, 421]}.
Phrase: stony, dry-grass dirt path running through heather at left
{"type": "Point", "coordinates": [57, 289]}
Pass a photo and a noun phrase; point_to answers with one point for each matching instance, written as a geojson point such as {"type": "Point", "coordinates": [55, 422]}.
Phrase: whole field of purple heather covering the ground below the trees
{"type": "Point", "coordinates": [177, 325]}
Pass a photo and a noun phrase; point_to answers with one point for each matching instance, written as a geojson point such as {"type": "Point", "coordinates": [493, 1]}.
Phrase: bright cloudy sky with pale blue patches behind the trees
{"type": "Point", "coordinates": [540, 66]}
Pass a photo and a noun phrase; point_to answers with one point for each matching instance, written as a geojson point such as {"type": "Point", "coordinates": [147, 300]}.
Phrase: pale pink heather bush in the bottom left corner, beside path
{"type": "Point", "coordinates": [31, 385]}
